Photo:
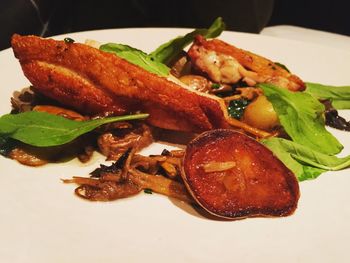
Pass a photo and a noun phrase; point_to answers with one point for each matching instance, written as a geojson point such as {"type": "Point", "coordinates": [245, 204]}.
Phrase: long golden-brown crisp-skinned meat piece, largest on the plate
{"type": "Point", "coordinates": [93, 81]}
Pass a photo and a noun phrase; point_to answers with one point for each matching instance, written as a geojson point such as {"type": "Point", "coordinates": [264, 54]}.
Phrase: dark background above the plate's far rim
{"type": "Point", "coordinates": [46, 18]}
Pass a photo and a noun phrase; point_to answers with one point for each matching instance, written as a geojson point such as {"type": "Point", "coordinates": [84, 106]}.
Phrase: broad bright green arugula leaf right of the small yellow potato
{"type": "Point", "coordinates": [301, 116]}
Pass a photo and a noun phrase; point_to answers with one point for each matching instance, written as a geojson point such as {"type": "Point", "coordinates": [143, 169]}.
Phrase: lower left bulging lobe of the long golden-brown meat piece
{"type": "Point", "coordinates": [70, 89]}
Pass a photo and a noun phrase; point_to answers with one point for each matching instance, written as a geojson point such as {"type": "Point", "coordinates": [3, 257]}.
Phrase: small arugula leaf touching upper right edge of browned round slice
{"type": "Point", "coordinates": [281, 150]}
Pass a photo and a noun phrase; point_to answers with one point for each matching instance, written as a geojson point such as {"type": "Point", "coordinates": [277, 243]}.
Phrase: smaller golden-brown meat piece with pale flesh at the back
{"type": "Point", "coordinates": [225, 63]}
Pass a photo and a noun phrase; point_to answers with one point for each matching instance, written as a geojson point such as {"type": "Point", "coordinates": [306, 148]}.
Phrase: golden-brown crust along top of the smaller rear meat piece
{"type": "Point", "coordinates": [267, 69]}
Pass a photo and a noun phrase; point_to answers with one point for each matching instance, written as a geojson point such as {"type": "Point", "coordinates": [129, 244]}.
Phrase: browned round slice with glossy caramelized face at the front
{"type": "Point", "coordinates": [233, 176]}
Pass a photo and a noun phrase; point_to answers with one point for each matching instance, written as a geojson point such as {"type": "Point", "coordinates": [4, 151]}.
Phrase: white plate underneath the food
{"type": "Point", "coordinates": [43, 221]}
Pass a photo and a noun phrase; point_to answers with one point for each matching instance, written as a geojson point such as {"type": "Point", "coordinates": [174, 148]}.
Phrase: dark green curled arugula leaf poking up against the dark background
{"type": "Point", "coordinates": [171, 49]}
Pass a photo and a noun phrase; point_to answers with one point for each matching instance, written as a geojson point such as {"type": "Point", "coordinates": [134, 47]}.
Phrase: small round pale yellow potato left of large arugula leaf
{"type": "Point", "coordinates": [260, 114]}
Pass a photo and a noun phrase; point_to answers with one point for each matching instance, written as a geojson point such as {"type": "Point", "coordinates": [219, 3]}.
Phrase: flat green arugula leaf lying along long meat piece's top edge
{"type": "Point", "coordinates": [136, 57]}
